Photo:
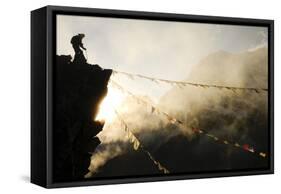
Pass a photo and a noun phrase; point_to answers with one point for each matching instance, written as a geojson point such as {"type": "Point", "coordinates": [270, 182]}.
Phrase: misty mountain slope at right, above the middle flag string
{"type": "Point", "coordinates": [239, 116]}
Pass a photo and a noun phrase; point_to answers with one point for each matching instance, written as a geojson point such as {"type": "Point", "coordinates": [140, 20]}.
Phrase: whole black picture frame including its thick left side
{"type": "Point", "coordinates": [43, 42]}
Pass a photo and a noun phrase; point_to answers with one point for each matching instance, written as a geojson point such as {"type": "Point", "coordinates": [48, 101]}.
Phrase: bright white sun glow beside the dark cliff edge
{"type": "Point", "coordinates": [112, 101]}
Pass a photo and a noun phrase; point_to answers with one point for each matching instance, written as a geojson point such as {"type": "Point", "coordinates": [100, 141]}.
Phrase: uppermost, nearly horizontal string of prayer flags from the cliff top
{"type": "Point", "coordinates": [182, 83]}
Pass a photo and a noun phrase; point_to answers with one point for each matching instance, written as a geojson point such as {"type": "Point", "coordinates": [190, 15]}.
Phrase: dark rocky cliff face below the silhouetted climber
{"type": "Point", "coordinates": [78, 90]}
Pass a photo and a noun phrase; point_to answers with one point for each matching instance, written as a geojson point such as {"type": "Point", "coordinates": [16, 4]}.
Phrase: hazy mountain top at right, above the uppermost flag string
{"type": "Point", "coordinates": [243, 69]}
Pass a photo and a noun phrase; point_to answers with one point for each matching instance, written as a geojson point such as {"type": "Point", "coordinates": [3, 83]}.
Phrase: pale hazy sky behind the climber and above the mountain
{"type": "Point", "coordinates": [155, 48]}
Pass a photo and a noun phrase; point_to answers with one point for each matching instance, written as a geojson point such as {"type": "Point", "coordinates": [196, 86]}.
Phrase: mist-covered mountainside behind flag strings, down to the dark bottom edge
{"type": "Point", "coordinates": [238, 116]}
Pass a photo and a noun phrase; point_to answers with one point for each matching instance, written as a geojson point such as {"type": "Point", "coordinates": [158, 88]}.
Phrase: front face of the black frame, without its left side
{"type": "Point", "coordinates": [52, 11]}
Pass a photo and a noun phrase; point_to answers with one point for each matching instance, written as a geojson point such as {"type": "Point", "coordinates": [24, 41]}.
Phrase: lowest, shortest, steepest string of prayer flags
{"type": "Point", "coordinates": [136, 144]}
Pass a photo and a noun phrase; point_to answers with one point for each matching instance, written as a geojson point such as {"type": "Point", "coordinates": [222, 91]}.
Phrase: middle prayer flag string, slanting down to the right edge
{"type": "Point", "coordinates": [175, 121]}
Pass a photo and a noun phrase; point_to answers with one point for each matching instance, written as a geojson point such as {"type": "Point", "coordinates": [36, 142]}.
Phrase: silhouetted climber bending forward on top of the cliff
{"type": "Point", "coordinates": [77, 44]}
